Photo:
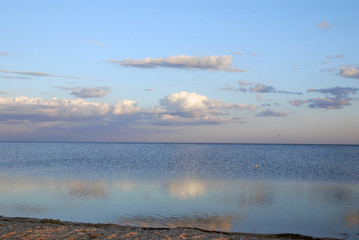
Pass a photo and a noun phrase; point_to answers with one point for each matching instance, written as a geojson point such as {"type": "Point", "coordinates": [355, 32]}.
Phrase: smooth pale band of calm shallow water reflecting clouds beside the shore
{"type": "Point", "coordinates": [226, 205]}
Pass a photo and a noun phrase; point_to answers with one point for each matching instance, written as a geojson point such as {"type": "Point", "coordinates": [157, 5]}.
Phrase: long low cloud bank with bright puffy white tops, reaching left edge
{"type": "Point", "coordinates": [182, 108]}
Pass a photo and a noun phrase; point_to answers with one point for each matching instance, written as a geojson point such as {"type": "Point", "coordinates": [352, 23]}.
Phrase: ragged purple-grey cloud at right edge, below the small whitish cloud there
{"type": "Point", "coordinates": [338, 98]}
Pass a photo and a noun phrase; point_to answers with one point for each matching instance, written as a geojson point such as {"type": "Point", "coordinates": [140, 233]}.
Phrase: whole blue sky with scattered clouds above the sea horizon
{"type": "Point", "coordinates": [180, 71]}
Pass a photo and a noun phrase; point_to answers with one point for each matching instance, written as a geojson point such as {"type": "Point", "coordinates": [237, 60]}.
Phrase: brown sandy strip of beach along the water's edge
{"type": "Point", "coordinates": [32, 228]}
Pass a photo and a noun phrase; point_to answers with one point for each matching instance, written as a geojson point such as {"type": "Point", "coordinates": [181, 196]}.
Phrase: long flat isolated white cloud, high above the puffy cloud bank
{"type": "Point", "coordinates": [214, 63]}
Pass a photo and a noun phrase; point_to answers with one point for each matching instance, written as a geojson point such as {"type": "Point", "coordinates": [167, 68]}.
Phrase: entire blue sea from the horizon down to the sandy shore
{"type": "Point", "coordinates": [255, 188]}
